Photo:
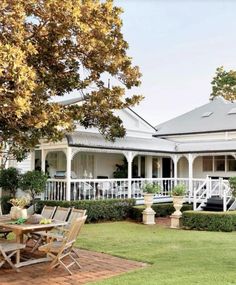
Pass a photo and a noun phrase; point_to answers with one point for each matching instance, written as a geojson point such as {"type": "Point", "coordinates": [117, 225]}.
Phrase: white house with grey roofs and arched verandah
{"type": "Point", "coordinates": [186, 149]}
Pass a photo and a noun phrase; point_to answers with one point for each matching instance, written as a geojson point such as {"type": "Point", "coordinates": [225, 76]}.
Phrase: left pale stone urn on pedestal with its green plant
{"type": "Point", "coordinates": [149, 189]}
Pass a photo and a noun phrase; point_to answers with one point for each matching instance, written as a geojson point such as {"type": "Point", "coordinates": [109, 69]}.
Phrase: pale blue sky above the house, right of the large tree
{"type": "Point", "coordinates": [178, 45]}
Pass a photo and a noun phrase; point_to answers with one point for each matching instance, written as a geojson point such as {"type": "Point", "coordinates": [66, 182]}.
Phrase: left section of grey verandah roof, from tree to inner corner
{"type": "Point", "coordinates": [92, 140]}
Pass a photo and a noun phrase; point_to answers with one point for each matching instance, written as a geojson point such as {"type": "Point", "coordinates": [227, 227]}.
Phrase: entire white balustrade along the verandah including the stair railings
{"type": "Point", "coordinates": [95, 189]}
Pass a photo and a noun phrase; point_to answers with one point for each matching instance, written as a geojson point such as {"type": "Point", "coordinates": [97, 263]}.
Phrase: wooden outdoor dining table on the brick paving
{"type": "Point", "coordinates": [20, 230]}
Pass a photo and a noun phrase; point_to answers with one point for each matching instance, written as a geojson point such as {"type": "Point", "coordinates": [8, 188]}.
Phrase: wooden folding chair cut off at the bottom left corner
{"type": "Point", "coordinates": [7, 250]}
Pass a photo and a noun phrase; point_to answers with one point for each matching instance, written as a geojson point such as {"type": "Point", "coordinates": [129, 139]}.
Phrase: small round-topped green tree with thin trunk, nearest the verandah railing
{"type": "Point", "coordinates": [33, 182]}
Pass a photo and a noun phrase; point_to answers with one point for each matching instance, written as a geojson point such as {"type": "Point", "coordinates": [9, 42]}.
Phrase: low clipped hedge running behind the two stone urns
{"type": "Point", "coordinates": [161, 209]}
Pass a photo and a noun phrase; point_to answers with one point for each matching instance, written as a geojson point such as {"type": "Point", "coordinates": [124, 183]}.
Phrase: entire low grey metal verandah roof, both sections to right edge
{"type": "Point", "coordinates": [156, 145]}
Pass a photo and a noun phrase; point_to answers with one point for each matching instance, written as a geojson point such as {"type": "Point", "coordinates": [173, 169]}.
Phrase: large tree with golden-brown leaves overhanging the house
{"type": "Point", "coordinates": [53, 47]}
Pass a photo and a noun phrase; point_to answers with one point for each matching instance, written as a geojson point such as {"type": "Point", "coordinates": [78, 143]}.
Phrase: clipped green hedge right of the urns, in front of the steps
{"type": "Point", "coordinates": [210, 221]}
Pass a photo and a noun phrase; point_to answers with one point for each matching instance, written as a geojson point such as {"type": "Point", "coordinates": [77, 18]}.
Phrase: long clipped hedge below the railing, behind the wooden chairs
{"type": "Point", "coordinates": [97, 210]}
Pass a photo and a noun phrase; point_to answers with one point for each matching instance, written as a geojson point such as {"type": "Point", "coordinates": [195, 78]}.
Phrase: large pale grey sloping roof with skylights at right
{"type": "Point", "coordinates": [216, 116]}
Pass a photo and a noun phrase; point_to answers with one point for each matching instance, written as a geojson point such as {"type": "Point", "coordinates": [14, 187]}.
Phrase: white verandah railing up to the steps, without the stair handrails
{"type": "Point", "coordinates": [93, 189]}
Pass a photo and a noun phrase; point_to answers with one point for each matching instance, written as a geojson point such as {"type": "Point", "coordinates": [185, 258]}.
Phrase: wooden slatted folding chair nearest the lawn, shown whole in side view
{"type": "Point", "coordinates": [59, 250]}
